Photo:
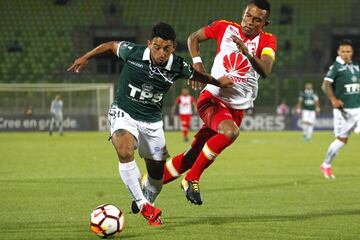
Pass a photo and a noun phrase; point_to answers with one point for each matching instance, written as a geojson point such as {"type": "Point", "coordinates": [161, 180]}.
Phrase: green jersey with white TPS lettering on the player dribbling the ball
{"type": "Point", "coordinates": [142, 85]}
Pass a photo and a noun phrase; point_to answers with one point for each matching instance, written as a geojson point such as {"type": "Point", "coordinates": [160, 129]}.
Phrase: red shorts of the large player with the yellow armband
{"type": "Point", "coordinates": [212, 111]}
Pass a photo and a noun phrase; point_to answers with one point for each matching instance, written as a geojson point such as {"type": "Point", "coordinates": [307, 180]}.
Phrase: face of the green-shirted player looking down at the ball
{"type": "Point", "coordinates": [160, 50]}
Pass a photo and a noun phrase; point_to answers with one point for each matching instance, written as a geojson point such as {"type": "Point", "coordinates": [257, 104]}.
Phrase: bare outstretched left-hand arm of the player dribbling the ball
{"type": "Point", "coordinates": [81, 62]}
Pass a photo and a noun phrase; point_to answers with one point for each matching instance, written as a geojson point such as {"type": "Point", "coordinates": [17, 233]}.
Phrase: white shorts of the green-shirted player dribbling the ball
{"type": "Point", "coordinates": [149, 136]}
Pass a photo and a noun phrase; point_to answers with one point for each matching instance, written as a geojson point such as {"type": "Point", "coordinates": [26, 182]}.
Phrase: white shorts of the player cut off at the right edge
{"type": "Point", "coordinates": [342, 126]}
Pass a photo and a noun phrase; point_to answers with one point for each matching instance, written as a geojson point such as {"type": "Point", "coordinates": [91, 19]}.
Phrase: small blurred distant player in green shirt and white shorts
{"type": "Point", "coordinates": [308, 105]}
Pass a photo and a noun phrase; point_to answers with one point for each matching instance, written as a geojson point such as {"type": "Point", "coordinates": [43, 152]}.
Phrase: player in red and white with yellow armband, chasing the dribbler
{"type": "Point", "coordinates": [244, 53]}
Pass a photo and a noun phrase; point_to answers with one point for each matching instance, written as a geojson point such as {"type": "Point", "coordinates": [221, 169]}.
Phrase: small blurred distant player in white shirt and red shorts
{"type": "Point", "coordinates": [185, 103]}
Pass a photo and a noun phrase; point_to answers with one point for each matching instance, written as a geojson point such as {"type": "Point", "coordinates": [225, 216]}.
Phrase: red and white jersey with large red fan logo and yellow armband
{"type": "Point", "coordinates": [230, 62]}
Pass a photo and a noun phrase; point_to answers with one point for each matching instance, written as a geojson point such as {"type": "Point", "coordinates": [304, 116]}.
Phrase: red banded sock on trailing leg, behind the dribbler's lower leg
{"type": "Point", "coordinates": [174, 168]}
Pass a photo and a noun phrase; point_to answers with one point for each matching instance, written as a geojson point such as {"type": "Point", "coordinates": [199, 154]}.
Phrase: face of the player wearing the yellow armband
{"type": "Point", "coordinates": [253, 21]}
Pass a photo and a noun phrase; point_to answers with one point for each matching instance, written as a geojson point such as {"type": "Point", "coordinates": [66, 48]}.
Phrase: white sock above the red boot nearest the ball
{"type": "Point", "coordinates": [130, 175]}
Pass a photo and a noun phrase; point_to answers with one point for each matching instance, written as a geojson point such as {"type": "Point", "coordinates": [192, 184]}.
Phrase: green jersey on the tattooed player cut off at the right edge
{"type": "Point", "coordinates": [345, 79]}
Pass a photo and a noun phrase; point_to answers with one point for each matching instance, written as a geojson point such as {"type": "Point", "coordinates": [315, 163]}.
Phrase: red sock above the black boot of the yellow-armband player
{"type": "Point", "coordinates": [212, 148]}
